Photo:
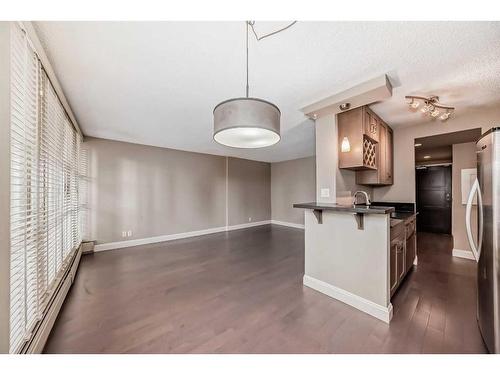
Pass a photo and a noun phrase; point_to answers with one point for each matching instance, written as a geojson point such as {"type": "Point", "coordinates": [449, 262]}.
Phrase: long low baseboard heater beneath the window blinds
{"type": "Point", "coordinates": [42, 330]}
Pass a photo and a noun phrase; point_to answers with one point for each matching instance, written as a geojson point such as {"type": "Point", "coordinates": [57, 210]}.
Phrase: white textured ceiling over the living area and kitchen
{"type": "Point", "coordinates": [156, 83]}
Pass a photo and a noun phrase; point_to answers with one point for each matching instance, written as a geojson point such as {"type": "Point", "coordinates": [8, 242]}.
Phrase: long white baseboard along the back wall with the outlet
{"type": "Point", "coordinates": [176, 236]}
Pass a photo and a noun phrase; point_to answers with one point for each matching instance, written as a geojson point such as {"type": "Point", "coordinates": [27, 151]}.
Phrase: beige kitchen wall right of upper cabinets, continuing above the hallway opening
{"type": "Point", "coordinates": [403, 189]}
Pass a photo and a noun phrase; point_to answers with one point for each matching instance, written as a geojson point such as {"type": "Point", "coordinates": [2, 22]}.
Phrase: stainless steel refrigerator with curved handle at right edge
{"type": "Point", "coordinates": [486, 248]}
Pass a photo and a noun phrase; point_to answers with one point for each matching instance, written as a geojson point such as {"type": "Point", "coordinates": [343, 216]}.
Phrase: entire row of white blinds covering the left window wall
{"type": "Point", "coordinates": [44, 190]}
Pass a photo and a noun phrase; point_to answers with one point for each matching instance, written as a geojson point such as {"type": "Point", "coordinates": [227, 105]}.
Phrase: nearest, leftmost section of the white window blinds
{"type": "Point", "coordinates": [24, 188]}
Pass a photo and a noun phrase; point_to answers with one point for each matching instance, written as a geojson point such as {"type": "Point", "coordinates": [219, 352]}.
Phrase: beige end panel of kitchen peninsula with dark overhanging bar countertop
{"type": "Point", "coordinates": [347, 254]}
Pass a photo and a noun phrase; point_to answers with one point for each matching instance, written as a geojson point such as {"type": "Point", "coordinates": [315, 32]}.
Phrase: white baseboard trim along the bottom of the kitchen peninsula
{"type": "Point", "coordinates": [378, 311]}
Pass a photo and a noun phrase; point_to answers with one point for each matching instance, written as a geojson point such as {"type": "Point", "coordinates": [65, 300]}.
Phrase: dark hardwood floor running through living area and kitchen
{"type": "Point", "coordinates": [242, 292]}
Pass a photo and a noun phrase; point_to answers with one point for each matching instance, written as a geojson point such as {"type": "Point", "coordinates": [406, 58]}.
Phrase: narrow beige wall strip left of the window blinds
{"type": "Point", "coordinates": [4, 185]}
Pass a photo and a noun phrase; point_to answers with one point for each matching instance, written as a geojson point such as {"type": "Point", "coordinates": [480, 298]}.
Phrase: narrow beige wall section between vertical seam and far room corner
{"type": "Point", "coordinates": [249, 191]}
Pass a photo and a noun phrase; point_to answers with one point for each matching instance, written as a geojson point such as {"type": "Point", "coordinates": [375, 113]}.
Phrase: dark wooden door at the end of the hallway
{"type": "Point", "coordinates": [434, 199]}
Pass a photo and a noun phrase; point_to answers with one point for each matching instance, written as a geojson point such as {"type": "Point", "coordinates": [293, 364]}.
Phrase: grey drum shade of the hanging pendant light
{"type": "Point", "coordinates": [246, 123]}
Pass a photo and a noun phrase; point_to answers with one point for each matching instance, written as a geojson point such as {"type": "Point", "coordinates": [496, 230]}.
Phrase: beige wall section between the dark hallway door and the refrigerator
{"type": "Point", "coordinates": [464, 156]}
